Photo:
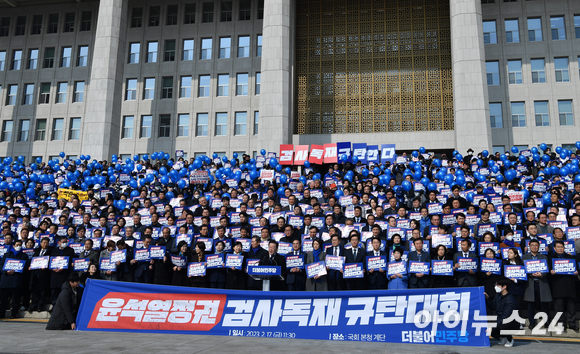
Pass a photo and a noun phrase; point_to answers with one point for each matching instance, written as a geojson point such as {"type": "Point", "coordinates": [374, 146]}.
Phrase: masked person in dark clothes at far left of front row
{"type": "Point", "coordinates": [11, 282]}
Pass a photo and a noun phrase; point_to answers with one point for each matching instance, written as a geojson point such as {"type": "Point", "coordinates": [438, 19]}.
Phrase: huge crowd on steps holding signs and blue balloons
{"type": "Point", "coordinates": [148, 219]}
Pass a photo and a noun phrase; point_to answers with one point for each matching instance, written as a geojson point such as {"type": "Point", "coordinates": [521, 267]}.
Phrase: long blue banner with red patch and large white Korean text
{"type": "Point", "coordinates": [429, 316]}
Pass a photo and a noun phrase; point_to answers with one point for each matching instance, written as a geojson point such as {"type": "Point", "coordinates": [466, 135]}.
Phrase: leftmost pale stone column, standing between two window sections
{"type": "Point", "coordinates": [102, 118]}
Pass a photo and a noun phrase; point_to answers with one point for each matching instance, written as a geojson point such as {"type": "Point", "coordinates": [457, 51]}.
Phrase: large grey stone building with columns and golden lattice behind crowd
{"type": "Point", "coordinates": [133, 77]}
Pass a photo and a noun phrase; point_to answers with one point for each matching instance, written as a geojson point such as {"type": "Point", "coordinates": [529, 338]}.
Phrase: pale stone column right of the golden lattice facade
{"type": "Point", "coordinates": [470, 95]}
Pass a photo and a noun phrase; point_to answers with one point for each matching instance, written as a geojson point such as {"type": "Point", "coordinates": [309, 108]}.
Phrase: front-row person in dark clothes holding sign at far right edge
{"type": "Point", "coordinates": [564, 284]}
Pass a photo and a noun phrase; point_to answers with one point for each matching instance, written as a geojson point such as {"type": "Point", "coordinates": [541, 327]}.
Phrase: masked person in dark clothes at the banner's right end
{"type": "Point", "coordinates": [504, 305]}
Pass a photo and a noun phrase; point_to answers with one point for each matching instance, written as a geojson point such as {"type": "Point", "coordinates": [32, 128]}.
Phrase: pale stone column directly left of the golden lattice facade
{"type": "Point", "coordinates": [276, 120]}
